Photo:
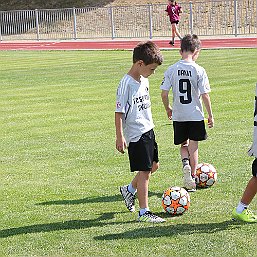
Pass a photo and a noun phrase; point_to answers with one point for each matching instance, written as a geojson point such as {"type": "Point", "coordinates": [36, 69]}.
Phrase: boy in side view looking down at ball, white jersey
{"type": "Point", "coordinates": [134, 127]}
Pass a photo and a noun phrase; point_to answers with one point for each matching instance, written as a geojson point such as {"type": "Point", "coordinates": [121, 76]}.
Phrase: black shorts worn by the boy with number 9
{"type": "Point", "coordinates": [193, 130]}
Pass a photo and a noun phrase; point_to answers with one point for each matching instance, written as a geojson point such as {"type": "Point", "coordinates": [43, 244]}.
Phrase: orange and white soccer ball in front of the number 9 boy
{"type": "Point", "coordinates": [206, 175]}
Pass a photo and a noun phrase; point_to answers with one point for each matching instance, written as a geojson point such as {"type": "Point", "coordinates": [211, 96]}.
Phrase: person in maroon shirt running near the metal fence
{"type": "Point", "coordinates": [173, 11]}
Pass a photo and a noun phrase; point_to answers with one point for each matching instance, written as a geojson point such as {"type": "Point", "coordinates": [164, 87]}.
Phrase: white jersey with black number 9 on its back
{"type": "Point", "coordinates": [188, 81]}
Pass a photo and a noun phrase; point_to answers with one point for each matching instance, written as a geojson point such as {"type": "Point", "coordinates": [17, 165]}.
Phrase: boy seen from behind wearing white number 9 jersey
{"type": "Point", "coordinates": [189, 84]}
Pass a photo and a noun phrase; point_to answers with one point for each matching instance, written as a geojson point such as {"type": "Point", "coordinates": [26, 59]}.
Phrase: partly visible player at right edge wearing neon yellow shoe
{"type": "Point", "coordinates": [241, 212]}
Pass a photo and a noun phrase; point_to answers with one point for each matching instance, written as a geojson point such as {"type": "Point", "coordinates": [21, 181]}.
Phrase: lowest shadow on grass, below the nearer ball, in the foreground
{"type": "Point", "coordinates": [172, 230]}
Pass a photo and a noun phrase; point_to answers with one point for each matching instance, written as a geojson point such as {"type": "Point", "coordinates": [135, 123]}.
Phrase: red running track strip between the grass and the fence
{"type": "Point", "coordinates": [122, 44]}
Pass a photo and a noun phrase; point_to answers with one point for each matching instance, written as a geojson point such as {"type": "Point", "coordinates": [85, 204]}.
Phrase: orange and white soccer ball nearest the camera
{"type": "Point", "coordinates": [175, 200]}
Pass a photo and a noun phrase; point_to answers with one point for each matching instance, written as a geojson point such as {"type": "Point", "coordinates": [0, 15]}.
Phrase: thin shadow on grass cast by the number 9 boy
{"type": "Point", "coordinates": [98, 199]}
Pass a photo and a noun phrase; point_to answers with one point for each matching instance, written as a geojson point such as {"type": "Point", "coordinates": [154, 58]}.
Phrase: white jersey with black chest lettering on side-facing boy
{"type": "Point", "coordinates": [133, 100]}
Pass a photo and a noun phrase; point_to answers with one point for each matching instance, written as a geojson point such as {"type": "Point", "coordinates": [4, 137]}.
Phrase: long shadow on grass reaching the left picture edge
{"type": "Point", "coordinates": [65, 225]}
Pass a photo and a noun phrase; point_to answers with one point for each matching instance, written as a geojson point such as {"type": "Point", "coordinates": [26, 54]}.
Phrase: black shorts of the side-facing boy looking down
{"type": "Point", "coordinates": [143, 153]}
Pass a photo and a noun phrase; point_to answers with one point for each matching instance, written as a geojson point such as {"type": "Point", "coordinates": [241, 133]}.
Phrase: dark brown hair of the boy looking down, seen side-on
{"type": "Point", "coordinates": [148, 52]}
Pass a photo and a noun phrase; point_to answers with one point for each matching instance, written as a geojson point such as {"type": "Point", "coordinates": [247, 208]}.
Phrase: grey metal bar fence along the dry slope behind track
{"type": "Point", "coordinates": [205, 18]}
